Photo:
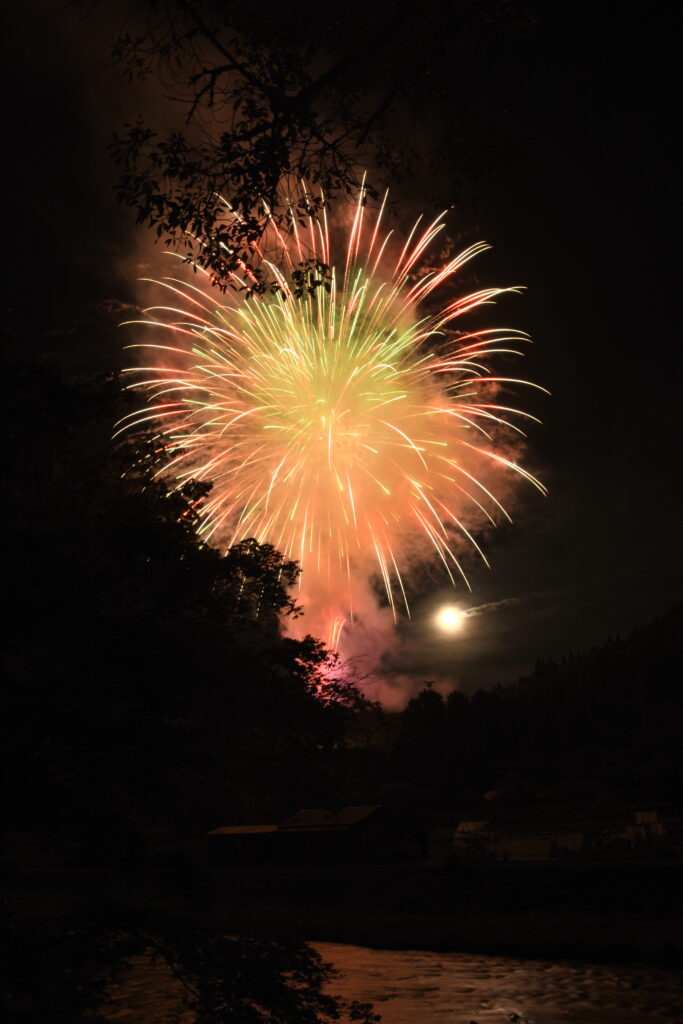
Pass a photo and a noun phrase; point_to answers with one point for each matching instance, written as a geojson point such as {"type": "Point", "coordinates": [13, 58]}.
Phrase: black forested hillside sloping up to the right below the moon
{"type": "Point", "coordinates": [605, 724]}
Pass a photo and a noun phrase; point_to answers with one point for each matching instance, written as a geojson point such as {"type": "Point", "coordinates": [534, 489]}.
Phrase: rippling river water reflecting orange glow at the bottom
{"type": "Point", "coordinates": [420, 988]}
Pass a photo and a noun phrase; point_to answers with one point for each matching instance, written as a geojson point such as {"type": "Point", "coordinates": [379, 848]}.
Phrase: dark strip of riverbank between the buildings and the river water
{"type": "Point", "coordinates": [599, 914]}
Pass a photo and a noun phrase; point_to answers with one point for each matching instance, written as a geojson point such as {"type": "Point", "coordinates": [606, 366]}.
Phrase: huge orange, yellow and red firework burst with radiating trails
{"type": "Point", "coordinates": [341, 423]}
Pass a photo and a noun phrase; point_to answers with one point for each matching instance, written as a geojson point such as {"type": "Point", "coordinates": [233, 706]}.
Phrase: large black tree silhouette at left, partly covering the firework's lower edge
{"type": "Point", "coordinates": [150, 681]}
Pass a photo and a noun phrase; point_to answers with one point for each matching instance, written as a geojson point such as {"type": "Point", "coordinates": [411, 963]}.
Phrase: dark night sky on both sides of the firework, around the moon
{"type": "Point", "coordinates": [581, 212]}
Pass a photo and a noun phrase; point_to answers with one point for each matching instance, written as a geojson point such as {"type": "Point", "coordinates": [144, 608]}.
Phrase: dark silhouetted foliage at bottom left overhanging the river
{"type": "Point", "coordinates": [66, 970]}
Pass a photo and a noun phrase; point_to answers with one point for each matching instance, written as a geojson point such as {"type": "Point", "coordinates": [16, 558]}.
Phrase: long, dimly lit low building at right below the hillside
{"type": "Point", "coordinates": [552, 832]}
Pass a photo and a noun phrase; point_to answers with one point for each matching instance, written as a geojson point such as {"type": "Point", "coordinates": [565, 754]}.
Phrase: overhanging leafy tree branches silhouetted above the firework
{"type": "Point", "coordinates": [272, 96]}
